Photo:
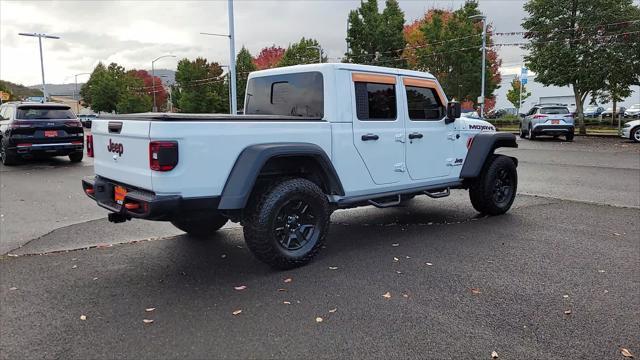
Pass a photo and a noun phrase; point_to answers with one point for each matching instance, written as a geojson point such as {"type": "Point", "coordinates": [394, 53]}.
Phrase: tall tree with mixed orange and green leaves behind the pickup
{"type": "Point", "coordinates": [446, 44]}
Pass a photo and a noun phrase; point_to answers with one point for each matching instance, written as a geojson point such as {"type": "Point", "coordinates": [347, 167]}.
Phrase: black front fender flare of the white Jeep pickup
{"type": "Point", "coordinates": [483, 146]}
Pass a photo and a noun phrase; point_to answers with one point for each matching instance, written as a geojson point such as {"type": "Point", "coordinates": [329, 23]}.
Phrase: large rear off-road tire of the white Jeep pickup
{"type": "Point", "coordinates": [266, 211]}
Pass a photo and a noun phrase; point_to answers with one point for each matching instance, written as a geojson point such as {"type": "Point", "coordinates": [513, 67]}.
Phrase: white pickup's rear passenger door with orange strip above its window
{"type": "Point", "coordinates": [378, 129]}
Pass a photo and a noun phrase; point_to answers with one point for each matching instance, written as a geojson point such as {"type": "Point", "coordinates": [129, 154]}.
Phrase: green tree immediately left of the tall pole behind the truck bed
{"type": "Point", "coordinates": [202, 87]}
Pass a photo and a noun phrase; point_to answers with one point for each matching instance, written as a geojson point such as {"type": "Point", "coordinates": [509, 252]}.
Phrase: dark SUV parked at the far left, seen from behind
{"type": "Point", "coordinates": [29, 129]}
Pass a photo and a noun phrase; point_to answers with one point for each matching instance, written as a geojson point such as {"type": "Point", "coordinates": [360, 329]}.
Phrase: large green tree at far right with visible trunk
{"type": "Point", "coordinates": [576, 43]}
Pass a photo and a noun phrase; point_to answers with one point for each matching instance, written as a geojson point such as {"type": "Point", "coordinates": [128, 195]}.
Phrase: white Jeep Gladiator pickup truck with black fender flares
{"type": "Point", "coordinates": [313, 139]}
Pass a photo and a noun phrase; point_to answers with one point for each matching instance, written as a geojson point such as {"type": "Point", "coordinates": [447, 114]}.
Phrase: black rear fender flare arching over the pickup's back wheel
{"type": "Point", "coordinates": [249, 163]}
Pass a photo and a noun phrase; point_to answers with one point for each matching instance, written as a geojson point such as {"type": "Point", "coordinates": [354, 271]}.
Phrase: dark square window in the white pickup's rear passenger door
{"type": "Point", "coordinates": [375, 101]}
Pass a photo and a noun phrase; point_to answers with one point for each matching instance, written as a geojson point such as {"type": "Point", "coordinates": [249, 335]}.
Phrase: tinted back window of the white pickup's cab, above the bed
{"type": "Point", "coordinates": [300, 94]}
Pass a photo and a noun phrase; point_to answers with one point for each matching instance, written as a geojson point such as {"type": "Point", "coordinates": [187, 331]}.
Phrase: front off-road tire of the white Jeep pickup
{"type": "Point", "coordinates": [482, 191]}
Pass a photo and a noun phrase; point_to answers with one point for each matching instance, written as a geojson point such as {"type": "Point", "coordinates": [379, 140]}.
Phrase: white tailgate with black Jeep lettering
{"type": "Point", "coordinates": [121, 151]}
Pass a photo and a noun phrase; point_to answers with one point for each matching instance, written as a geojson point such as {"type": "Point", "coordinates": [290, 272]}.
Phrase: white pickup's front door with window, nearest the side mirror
{"type": "Point", "coordinates": [430, 141]}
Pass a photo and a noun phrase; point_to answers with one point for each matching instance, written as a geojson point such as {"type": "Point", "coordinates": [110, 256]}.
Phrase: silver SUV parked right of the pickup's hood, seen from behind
{"type": "Point", "coordinates": [548, 119]}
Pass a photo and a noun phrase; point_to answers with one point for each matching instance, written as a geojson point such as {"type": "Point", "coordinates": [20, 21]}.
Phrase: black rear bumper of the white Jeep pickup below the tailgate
{"type": "Point", "coordinates": [144, 204]}
